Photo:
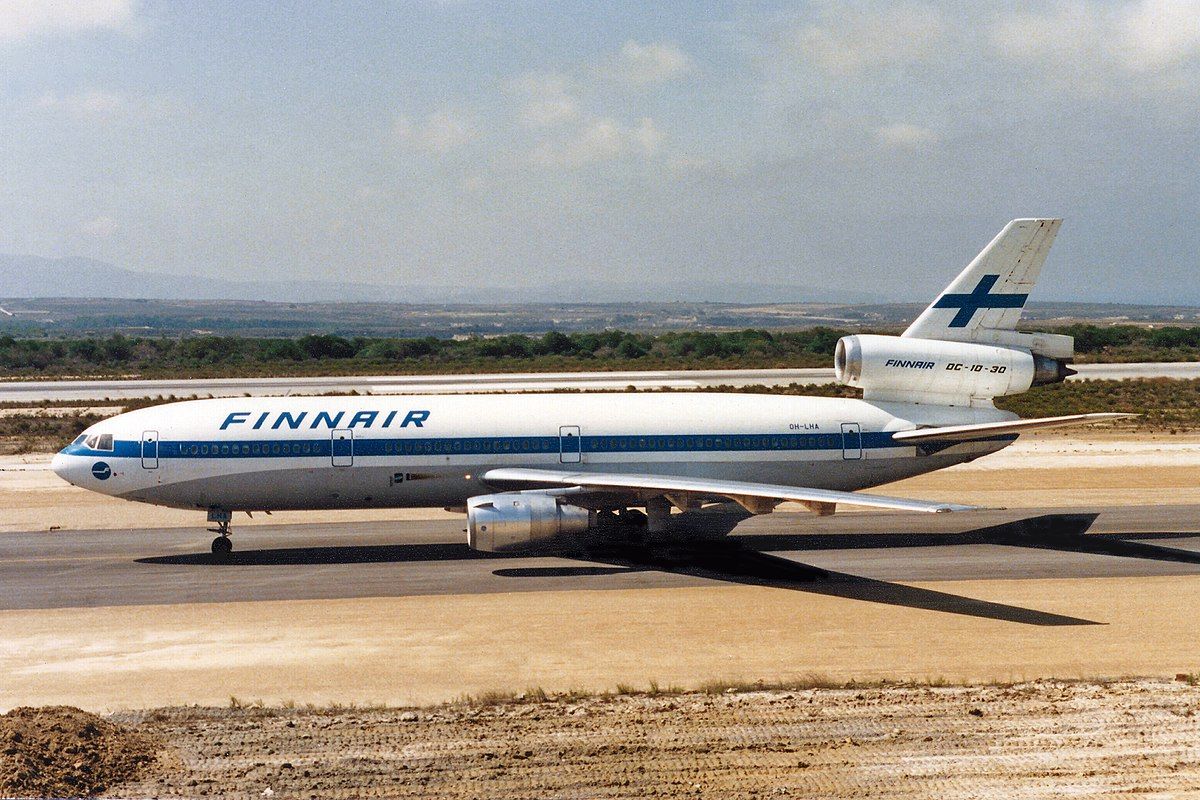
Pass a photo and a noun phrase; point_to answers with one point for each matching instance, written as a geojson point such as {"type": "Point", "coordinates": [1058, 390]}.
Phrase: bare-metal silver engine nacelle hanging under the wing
{"type": "Point", "coordinates": [515, 520]}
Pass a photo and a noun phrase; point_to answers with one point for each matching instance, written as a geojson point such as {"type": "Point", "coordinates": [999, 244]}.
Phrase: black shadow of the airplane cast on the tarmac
{"type": "Point", "coordinates": [747, 560]}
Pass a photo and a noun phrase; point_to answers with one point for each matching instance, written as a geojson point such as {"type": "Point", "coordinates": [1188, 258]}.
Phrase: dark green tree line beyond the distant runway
{"type": "Point", "coordinates": [236, 356]}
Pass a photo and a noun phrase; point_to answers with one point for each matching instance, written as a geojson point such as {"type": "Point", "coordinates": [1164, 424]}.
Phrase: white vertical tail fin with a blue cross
{"type": "Point", "coordinates": [991, 294]}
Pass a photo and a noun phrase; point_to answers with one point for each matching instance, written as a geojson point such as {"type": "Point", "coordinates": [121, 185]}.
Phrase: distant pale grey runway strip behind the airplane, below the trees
{"type": "Point", "coordinates": [15, 392]}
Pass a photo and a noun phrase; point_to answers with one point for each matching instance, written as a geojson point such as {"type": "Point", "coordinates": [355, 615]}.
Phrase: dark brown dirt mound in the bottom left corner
{"type": "Point", "coordinates": [64, 753]}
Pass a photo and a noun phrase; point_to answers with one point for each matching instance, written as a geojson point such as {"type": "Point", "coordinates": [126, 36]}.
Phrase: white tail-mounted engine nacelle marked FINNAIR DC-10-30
{"type": "Point", "coordinates": [933, 371]}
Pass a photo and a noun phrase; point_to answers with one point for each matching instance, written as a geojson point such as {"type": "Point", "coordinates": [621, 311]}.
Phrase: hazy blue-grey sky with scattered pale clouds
{"type": "Point", "coordinates": [869, 147]}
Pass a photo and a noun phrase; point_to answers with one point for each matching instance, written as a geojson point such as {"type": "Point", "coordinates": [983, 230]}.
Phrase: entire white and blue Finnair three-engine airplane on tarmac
{"type": "Point", "coordinates": [535, 470]}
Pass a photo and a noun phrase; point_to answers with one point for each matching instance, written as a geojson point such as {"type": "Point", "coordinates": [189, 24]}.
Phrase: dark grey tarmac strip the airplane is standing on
{"type": "Point", "coordinates": [857, 556]}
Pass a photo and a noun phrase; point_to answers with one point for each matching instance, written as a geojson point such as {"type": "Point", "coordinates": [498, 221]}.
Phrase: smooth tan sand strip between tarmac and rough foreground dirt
{"type": "Point", "coordinates": [427, 649]}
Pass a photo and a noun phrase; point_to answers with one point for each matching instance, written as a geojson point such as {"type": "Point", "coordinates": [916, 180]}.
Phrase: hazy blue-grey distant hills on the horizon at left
{"type": "Point", "coordinates": [33, 276]}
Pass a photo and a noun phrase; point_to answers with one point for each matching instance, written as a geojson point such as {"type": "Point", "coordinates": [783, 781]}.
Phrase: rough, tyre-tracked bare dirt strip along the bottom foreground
{"type": "Point", "coordinates": [1030, 741]}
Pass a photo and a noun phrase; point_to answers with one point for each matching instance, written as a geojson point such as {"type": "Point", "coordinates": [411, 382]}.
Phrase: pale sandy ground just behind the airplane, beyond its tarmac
{"type": "Point", "coordinates": [1047, 471]}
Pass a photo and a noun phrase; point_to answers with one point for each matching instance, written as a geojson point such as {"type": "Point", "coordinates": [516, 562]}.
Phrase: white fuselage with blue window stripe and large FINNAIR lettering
{"type": "Point", "coordinates": [417, 452]}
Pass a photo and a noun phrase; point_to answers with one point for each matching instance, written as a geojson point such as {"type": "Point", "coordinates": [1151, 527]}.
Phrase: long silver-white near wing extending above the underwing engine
{"type": "Point", "coordinates": [755, 498]}
